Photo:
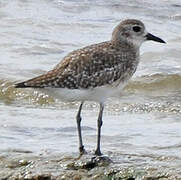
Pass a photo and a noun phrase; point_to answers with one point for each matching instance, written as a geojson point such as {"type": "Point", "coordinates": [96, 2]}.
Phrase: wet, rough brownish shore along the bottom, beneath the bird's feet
{"type": "Point", "coordinates": [25, 166]}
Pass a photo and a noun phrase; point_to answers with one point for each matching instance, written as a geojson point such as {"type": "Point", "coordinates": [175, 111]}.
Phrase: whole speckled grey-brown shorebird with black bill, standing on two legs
{"type": "Point", "coordinates": [96, 72]}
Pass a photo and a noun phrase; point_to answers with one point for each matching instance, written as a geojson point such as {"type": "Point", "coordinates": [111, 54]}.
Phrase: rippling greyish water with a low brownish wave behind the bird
{"type": "Point", "coordinates": [144, 121]}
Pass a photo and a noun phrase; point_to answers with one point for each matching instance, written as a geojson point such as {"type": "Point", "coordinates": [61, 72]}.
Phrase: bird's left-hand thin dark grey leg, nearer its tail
{"type": "Point", "coordinates": [78, 118]}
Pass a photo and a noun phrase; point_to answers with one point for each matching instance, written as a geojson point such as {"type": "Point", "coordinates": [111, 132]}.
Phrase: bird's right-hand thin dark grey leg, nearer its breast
{"type": "Point", "coordinates": [99, 124]}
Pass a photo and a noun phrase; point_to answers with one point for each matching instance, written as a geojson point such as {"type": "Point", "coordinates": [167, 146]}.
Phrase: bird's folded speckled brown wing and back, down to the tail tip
{"type": "Point", "coordinates": [85, 68]}
